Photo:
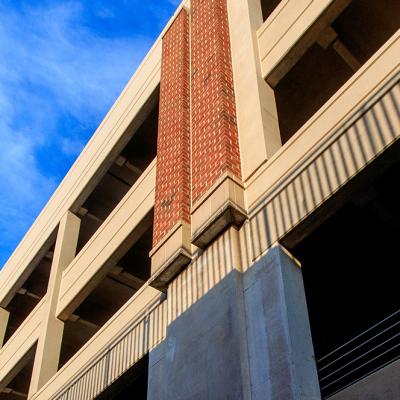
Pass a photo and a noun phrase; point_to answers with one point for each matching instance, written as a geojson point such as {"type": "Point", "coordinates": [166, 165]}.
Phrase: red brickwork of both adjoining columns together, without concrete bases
{"type": "Point", "coordinates": [209, 147]}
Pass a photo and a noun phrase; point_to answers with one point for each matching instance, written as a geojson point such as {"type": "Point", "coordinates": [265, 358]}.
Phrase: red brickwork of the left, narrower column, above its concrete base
{"type": "Point", "coordinates": [172, 202]}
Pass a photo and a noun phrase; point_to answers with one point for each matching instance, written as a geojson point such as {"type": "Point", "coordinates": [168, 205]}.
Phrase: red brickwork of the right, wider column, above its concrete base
{"type": "Point", "coordinates": [215, 146]}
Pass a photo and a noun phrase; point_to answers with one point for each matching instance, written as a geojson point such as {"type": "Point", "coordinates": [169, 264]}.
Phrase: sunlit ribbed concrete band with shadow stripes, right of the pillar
{"type": "Point", "coordinates": [362, 138]}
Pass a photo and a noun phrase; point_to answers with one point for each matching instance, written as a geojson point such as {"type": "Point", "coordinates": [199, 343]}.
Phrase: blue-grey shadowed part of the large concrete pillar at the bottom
{"type": "Point", "coordinates": [208, 355]}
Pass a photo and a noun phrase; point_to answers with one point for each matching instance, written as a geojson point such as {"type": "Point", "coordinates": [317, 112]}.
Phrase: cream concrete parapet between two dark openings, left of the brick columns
{"type": "Point", "coordinates": [117, 233]}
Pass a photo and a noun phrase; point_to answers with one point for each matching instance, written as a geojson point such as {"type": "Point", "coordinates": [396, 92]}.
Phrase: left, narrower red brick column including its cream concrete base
{"type": "Point", "coordinates": [171, 234]}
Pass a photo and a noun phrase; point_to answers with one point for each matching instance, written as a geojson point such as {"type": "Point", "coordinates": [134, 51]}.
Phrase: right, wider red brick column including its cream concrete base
{"type": "Point", "coordinates": [217, 190]}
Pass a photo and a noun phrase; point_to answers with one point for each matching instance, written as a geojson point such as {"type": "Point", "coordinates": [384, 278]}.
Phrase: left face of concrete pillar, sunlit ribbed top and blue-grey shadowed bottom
{"type": "Point", "coordinates": [204, 354]}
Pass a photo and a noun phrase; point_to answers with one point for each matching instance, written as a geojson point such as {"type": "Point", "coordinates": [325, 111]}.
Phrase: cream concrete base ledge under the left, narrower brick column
{"type": "Point", "coordinates": [170, 256]}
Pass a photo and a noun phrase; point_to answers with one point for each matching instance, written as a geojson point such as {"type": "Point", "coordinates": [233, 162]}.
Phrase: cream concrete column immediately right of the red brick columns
{"type": "Point", "coordinates": [257, 116]}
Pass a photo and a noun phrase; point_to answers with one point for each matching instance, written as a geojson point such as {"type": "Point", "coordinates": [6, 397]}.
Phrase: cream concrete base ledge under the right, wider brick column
{"type": "Point", "coordinates": [223, 205]}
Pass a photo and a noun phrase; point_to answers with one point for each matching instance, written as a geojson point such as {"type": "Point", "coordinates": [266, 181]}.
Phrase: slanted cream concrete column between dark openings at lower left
{"type": "Point", "coordinates": [49, 343]}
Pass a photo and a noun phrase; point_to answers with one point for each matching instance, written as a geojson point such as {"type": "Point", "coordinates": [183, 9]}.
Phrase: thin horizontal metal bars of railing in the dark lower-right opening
{"type": "Point", "coordinates": [371, 350]}
